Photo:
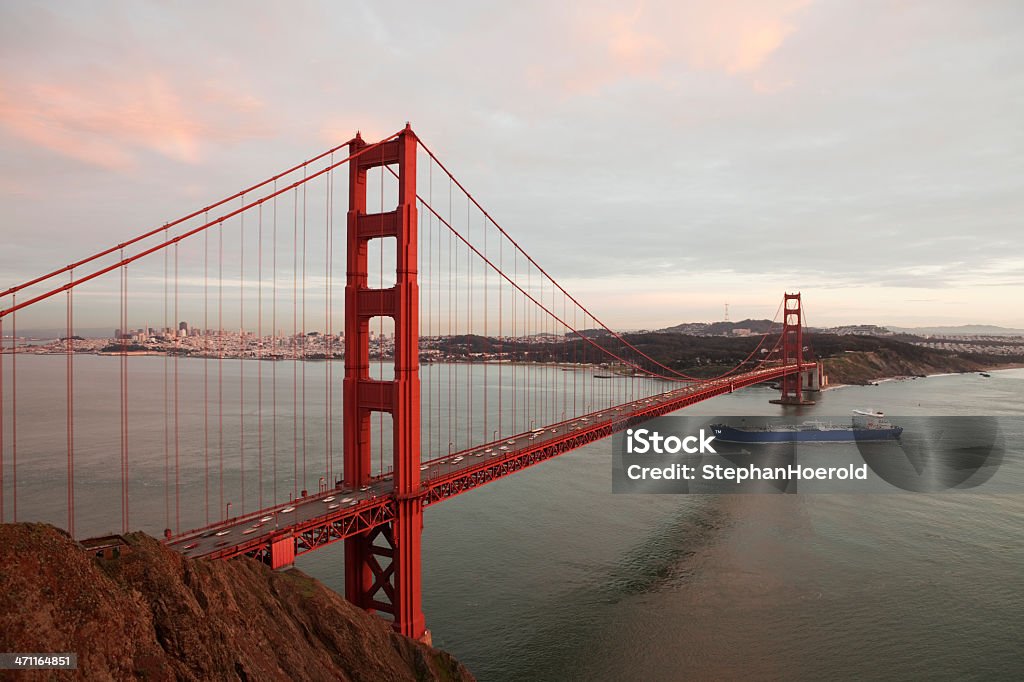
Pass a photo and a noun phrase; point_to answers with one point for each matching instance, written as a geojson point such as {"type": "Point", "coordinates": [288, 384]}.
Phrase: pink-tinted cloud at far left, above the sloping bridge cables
{"type": "Point", "coordinates": [109, 123]}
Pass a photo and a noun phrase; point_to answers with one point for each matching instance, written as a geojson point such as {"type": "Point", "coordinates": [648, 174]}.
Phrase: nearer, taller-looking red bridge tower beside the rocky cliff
{"type": "Point", "coordinates": [382, 566]}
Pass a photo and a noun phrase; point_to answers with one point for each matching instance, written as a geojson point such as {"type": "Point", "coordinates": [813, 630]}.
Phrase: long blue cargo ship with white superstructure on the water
{"type": "Point", "coordinates": [867, 425]}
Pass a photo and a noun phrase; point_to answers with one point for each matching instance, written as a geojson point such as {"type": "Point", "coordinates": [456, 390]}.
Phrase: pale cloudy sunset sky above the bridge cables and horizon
{"type": "Point", "coordinates": [660, 159]}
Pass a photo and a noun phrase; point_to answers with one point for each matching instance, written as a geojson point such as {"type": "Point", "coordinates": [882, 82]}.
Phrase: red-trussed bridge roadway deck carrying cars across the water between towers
{"type": "Point", "coordinates": [337, 514]}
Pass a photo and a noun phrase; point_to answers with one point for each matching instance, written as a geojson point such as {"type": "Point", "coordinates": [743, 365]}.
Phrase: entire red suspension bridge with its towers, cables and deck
{"type": "Point", "coordinates": [530, 332]}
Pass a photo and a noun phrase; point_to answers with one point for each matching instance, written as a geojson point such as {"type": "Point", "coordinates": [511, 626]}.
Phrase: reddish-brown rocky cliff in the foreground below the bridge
{"type": "Point", "coordinates": [154, 615]}
